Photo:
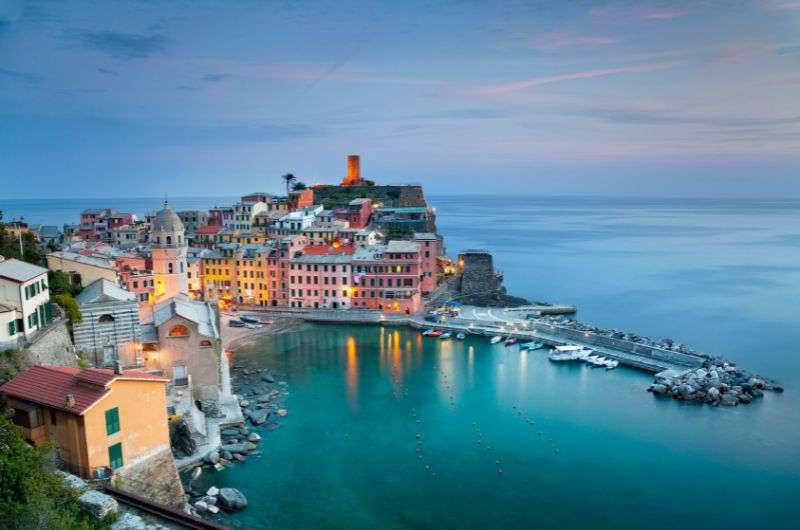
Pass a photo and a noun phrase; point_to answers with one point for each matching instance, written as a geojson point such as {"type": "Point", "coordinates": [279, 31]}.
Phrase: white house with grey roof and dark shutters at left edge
{"type": "Point", "coordinates": [24, 300]}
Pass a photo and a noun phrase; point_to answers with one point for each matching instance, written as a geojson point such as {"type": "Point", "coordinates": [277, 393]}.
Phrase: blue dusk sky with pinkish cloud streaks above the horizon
{"type": "Point", "coordinates": [150, 98]}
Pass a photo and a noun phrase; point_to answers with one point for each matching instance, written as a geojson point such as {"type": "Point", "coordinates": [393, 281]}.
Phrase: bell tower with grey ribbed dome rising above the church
{"type": "Point", "coordinates": [168, 247]}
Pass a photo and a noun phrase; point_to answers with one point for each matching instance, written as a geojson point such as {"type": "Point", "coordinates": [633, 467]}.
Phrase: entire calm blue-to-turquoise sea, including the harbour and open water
{"type": "Point", "coordinates": [387, 429]}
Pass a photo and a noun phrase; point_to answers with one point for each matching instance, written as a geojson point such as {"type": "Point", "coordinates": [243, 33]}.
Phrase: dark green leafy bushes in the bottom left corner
{"type": "Point", "coordinates": [32, 494]}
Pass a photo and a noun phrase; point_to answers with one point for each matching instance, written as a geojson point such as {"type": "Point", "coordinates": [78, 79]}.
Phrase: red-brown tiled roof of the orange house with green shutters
{"type": "Point", "coordinates": [50, 385]}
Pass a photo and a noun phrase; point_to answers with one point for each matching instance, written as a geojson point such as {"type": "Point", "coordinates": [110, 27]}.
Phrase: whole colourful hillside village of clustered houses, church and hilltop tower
{"type": "Point", "coordinates": [127, 368]}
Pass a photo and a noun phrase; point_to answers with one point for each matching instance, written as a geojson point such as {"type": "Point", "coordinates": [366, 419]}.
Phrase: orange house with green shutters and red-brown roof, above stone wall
{"type": "Point", "coordinates": [100, 420]}
